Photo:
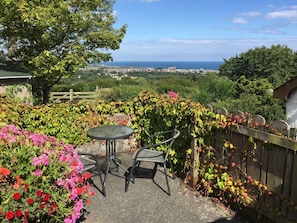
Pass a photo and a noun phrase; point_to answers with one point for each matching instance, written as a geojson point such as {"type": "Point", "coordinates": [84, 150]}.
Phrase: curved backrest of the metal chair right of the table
{"type": "Point", "coordinates": [165, 138]}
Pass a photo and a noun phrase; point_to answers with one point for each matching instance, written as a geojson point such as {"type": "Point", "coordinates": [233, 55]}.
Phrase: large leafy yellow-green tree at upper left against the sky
{"type": "Point", "coordinates": [53, 39]}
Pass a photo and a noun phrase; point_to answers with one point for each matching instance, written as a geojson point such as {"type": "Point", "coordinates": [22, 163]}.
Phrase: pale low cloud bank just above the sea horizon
{"type": "Point", "coordinates": [193, 49]}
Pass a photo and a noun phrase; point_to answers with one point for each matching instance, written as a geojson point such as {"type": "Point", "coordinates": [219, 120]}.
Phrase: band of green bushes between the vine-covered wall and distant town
{"type": "Point", "coordinates": [247, 95]}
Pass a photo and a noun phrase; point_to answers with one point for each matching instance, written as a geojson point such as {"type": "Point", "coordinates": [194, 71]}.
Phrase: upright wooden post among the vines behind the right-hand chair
{"type": "Point", "coordinates": [194, 159]}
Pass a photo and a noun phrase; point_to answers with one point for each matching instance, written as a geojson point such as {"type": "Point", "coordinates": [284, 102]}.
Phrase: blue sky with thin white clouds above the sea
{"type": "Point", "coordinates": [202, 30]}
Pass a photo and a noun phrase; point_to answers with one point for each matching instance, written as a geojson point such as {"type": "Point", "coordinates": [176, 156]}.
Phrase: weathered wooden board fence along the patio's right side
{"type": "Point", "coordinates": [267, 158]}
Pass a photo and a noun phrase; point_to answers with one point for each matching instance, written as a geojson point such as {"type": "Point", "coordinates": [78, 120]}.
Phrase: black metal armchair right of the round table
{"type": "Point", "coordinates": [156, 150]}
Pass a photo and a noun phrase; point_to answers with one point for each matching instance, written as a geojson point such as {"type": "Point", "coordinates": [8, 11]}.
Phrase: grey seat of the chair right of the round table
{"type": "Point", "coordinates": [148, 155]}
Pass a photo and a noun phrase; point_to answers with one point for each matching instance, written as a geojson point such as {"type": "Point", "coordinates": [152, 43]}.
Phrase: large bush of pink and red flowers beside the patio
{"type": "Point", "coordinates": [40, 178]}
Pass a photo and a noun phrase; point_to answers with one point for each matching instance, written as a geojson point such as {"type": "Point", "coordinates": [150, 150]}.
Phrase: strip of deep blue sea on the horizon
{"type": "Point", "coordinates": [206, 65]}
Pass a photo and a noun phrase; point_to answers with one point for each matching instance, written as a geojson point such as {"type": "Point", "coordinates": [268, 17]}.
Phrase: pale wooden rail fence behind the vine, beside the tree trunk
{"type": "Point", "coordinates": [71, 96]}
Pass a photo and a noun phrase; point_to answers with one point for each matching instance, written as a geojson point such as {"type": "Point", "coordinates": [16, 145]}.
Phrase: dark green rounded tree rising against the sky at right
{"type": "Point", "coordinates": [278, 64]}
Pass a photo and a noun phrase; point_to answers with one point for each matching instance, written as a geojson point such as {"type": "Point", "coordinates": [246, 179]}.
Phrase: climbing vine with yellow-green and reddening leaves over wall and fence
{"type": "Point", "coordinates": [149, 113]}
